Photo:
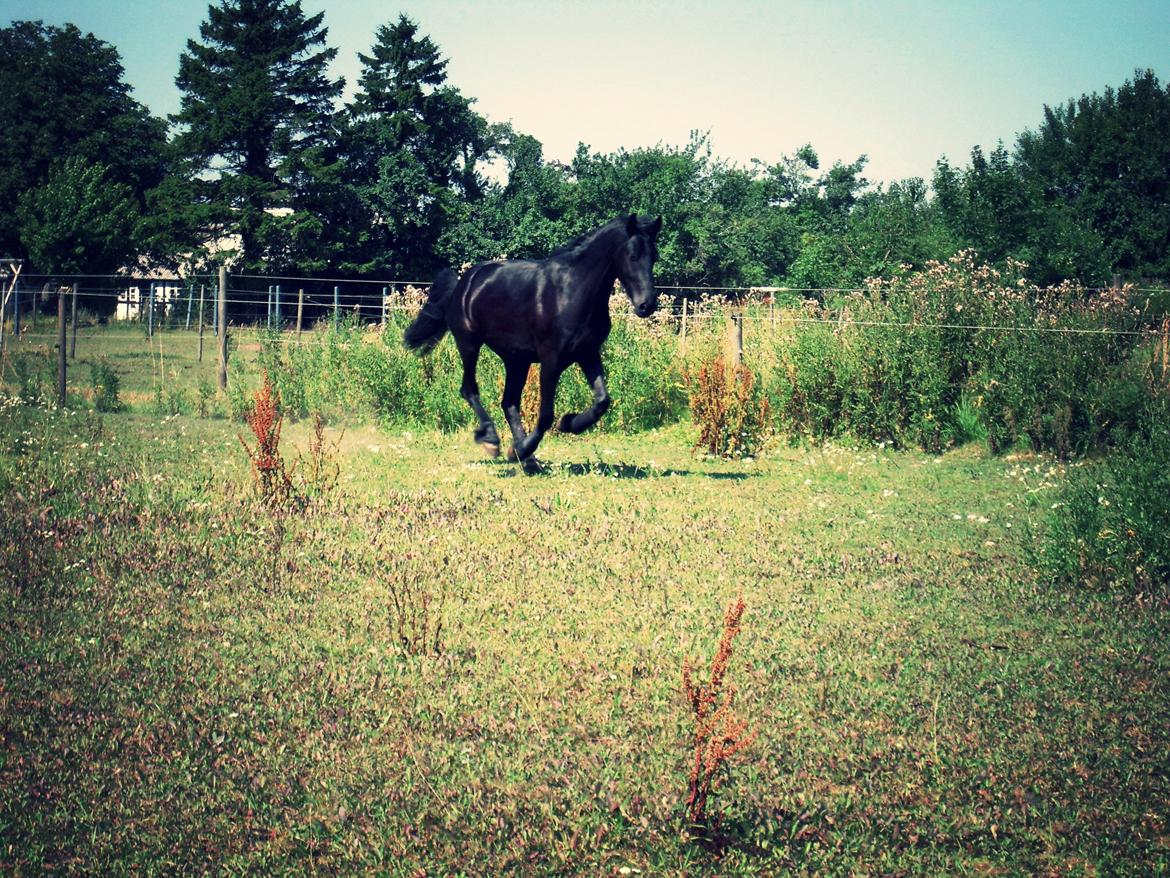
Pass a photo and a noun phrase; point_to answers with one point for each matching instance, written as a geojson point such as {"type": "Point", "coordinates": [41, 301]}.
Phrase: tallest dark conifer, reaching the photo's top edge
{"type": "Point", "coordinates": [258, 131]}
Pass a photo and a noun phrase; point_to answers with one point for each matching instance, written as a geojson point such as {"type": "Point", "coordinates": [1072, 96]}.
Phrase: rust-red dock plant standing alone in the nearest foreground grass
{"type": "Point", "coordinates": [719, 733]}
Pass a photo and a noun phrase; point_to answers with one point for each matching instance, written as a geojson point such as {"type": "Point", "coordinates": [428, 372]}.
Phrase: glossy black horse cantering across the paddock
{"type": "Point", "coordinates": [555, 313]}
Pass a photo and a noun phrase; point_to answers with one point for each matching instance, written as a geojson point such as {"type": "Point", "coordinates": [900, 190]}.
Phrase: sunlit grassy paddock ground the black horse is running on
{"type": "Point", "coordinates": [445, 667]}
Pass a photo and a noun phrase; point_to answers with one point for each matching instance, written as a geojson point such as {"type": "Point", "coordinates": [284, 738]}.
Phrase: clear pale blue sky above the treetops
{"type": "Point", "coordinates": [904, 83]}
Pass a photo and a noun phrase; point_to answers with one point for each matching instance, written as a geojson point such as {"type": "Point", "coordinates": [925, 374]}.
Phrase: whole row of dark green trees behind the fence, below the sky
{"type": "Point", "coordinates": [266, 166]}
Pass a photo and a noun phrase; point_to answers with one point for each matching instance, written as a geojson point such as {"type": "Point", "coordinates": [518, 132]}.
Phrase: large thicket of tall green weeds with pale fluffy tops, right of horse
{"type": "Point", "coordinates": [960, 351]}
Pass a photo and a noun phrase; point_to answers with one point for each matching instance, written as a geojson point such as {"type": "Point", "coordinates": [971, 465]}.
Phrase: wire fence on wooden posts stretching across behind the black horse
{"type": "Point", "coordinates": [261, 310]}
